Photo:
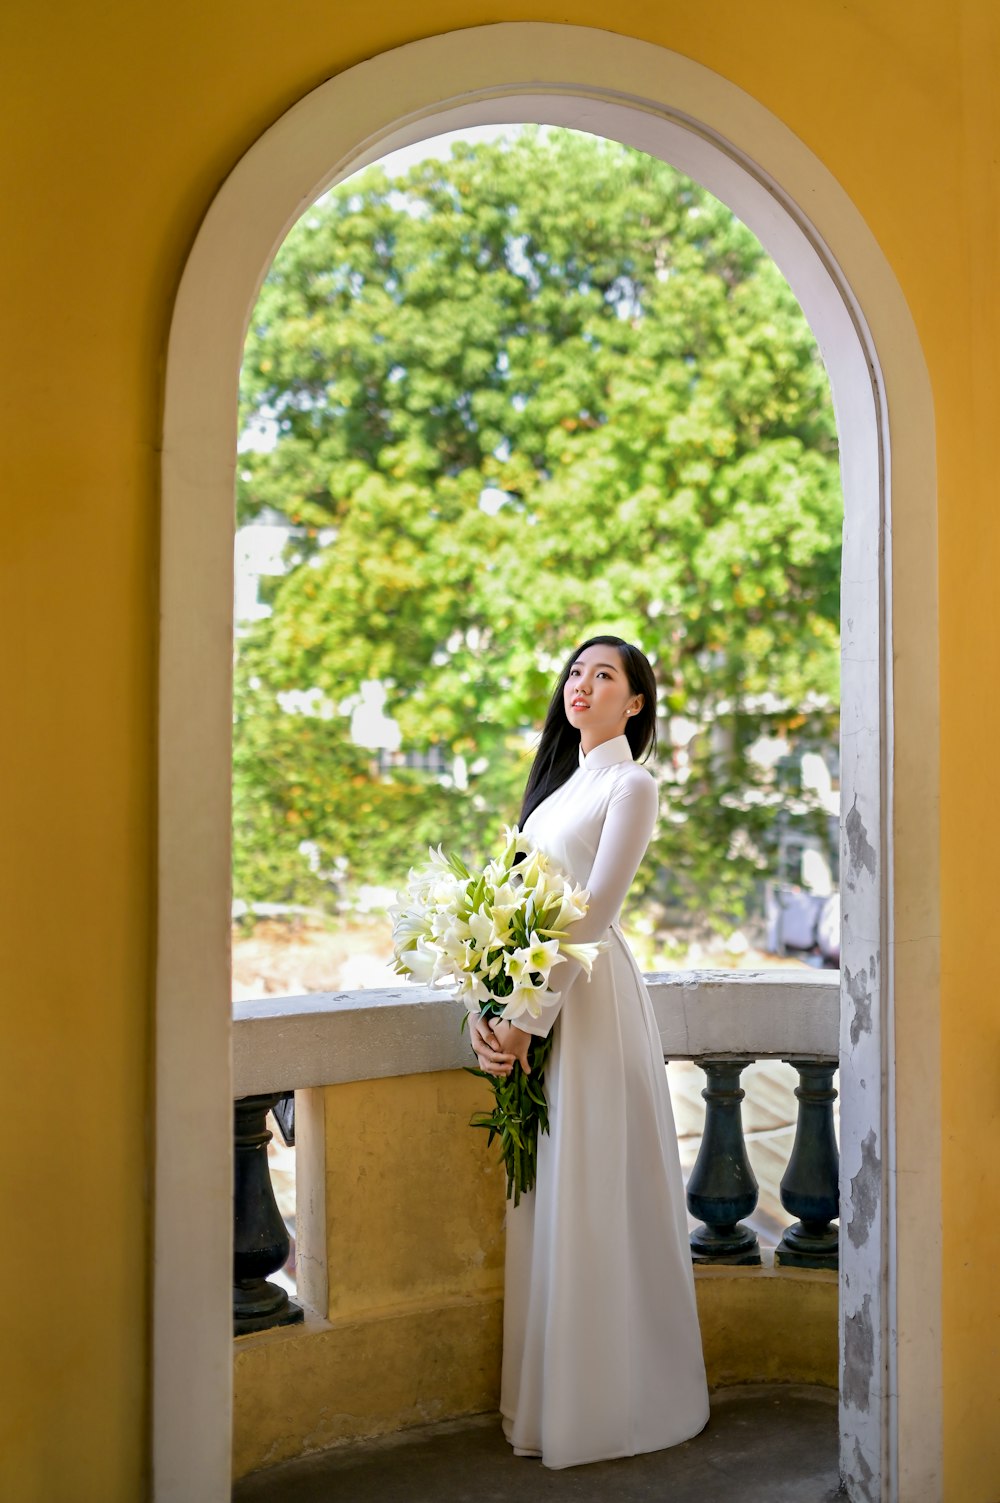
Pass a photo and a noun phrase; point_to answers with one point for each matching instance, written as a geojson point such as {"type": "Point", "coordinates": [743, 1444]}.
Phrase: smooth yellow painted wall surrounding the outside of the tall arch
{"type": "Point", "coordinates": [120, 122]}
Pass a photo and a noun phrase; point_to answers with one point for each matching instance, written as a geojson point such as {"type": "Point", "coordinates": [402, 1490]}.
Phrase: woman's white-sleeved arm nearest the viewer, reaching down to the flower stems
{"type": "Point", "coordinates": [623, 844]}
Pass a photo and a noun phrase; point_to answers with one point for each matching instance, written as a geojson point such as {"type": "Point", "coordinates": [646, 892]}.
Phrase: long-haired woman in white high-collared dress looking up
{"type": "Point", "coordinates": [602, 1349]}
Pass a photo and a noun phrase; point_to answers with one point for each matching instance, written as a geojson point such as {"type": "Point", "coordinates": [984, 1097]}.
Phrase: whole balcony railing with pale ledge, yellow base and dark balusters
{"type": "Point", "coordinates": [401, 1209]}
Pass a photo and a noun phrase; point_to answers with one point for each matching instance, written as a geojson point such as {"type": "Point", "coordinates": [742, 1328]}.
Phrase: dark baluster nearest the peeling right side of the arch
{"type": "Point", "coordinates": [810, 1185]}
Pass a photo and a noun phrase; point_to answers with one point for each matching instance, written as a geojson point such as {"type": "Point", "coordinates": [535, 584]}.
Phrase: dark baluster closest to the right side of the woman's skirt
{"type": "Point", "coordinates": [723, 1188]}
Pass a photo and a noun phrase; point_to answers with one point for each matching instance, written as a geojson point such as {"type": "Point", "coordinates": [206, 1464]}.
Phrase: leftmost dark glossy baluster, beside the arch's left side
{"type": "Point", "coordinates": [261, 1242]}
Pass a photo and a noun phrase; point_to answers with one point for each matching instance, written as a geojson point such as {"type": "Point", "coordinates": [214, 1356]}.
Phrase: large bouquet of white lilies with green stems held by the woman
{"type": "Point", "coordinates": [498, 936]}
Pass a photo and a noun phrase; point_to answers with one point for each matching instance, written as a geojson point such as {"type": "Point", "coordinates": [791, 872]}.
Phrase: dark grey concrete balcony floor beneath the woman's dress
{"type": "Point", "coordinates": [763, 1445]}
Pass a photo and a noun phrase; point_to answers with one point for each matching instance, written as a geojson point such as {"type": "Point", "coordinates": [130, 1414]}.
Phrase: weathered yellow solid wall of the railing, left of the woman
{"type": "Point", "coordinates": [411, 1230]}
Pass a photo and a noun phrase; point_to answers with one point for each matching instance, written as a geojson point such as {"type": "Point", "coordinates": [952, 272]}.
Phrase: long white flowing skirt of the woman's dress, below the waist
{"type": "Point", "coordinates": [602, 1347]}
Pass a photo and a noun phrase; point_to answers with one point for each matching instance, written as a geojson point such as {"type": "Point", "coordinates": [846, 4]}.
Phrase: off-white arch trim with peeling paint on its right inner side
{"type": "Point", "coordinates": [682, 112]}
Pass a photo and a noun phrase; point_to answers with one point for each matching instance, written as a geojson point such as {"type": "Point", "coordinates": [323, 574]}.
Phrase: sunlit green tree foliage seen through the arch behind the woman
{"type": "Point", "coordinates": [542, 389]}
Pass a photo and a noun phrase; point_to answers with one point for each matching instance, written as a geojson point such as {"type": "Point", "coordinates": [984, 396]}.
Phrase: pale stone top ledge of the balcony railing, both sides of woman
{"type": "Point", "coordinates": [333, 1038]}
